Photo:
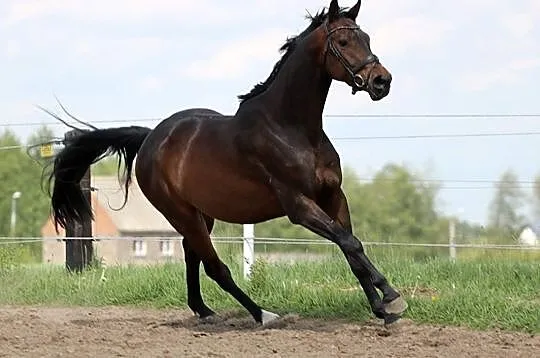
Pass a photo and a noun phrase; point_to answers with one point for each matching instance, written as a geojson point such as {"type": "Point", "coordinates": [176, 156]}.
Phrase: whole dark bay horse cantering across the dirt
{"type": "Point", "coordinates": [271, 159]}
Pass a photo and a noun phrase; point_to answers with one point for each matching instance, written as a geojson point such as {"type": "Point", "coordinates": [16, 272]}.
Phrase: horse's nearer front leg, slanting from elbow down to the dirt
{"type": "Point", "coordinates": [306, 212]}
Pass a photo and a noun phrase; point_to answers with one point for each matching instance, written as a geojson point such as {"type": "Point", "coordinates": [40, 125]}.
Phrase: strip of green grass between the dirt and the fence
{"type": "Point", "coordinates": [502, 293]}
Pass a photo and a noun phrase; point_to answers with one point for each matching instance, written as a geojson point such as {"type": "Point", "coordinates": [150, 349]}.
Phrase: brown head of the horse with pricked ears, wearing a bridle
{"type": "Point", "coordinates": [347, 54]}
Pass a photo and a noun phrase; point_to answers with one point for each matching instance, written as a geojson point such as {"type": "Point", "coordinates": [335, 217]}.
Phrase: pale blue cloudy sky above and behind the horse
{"type": "Point", "coordinates": [123, 60]}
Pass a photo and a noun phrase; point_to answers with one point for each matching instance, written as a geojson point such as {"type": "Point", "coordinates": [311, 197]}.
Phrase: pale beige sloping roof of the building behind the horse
{"type": "Point", "coordinates": [138, 215]}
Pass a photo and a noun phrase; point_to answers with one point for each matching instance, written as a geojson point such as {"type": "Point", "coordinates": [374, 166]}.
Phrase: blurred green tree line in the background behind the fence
{"type": "Point", "coordinates": [396, 205]}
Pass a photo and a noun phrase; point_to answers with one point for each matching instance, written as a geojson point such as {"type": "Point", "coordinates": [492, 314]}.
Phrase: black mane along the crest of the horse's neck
{"type": "Point", "coordinates": [288, 47]}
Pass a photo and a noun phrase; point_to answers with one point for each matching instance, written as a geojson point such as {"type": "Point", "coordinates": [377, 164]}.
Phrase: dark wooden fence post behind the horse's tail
{"type": "Point", "coordinates": [79, 252]}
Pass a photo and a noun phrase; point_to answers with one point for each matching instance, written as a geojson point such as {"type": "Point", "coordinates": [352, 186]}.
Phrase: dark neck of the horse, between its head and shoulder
{"type": "Point", "coordinates": [298, 94]}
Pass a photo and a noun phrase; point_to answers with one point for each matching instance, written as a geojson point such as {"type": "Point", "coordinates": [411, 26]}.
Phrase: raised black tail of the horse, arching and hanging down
{"type": "Point", "coordinates": [69, 205]}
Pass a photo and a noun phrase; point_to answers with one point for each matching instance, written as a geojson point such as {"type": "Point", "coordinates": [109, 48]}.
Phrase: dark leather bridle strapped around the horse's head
{"type": "Point", "coordinates": [358, 82]}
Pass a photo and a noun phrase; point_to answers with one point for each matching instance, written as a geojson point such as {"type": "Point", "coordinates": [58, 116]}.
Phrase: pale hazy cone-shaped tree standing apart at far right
{"type": "Point", "coordinates": [508, 200]}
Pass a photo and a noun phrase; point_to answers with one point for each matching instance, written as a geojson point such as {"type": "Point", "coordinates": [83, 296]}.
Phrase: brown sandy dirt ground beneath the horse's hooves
{"type": "Point", "coordinates": [128, 332]}
